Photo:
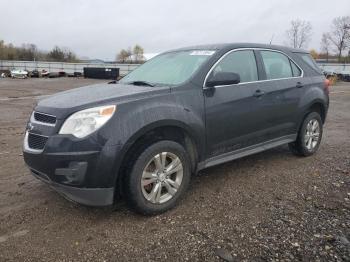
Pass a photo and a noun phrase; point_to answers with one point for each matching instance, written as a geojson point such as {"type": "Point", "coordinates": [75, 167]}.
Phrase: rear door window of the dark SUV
{"type": "Point", "coordinates": [276, 65]}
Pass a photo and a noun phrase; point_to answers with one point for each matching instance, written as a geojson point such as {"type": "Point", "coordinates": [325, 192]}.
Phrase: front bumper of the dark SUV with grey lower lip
{"type": "Point", "coordinates": [86, 177]}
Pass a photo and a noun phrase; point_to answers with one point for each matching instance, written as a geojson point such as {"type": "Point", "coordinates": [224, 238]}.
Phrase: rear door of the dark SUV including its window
{"type": "Point", "coordinates": [282, 91]}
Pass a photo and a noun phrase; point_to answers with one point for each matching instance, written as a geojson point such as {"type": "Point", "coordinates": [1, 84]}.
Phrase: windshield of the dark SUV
{"type": "Point", "coordinates": [171, 68]}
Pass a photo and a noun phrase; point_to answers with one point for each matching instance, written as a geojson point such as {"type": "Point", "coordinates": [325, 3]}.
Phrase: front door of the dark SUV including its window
{"type": "Point", "coordinates": [233, 113]}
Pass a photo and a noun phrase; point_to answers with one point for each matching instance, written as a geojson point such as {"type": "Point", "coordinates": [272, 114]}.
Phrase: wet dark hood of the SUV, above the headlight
{"type": "Point", "coordinates": [64, 103]}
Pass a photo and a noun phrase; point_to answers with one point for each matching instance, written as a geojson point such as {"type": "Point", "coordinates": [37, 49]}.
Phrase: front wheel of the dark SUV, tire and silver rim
{"type": "Point", "coordinates": [147, 169]}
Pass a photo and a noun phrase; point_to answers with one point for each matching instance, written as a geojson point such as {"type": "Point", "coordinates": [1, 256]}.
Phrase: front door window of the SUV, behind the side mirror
{"type": "Point", "coordinates": [239, 62]}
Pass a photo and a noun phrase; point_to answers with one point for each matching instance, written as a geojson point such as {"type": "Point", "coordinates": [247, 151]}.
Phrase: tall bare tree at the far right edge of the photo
{"type": "Point", "coordinates": [340, 34]}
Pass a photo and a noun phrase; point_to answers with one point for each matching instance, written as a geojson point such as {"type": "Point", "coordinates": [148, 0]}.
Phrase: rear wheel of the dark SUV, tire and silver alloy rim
{"type": "Point", "coordinates": [309, 136]}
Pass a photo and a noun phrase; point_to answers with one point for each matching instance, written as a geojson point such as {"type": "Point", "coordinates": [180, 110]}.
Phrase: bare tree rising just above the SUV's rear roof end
{"type": "Point", "coordinates": [299, 33]}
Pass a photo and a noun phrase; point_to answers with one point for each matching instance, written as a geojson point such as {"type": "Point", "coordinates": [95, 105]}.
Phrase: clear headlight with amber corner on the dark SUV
{"type": "Point", "coordinates": [84, 122]}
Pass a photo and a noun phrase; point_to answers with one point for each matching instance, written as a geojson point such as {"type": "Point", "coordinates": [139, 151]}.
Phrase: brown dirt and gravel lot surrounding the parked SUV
{"type": "Point", "coordinates": [271, 206]}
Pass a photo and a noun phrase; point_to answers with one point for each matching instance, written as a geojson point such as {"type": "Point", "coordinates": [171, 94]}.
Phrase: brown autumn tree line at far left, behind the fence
{"type": "Point", "coordinates": [30, 52]}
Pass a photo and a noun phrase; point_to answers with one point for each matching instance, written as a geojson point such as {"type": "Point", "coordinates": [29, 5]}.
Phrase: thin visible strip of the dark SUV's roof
{"type": "Point", "coordinates": [242, 45]}
